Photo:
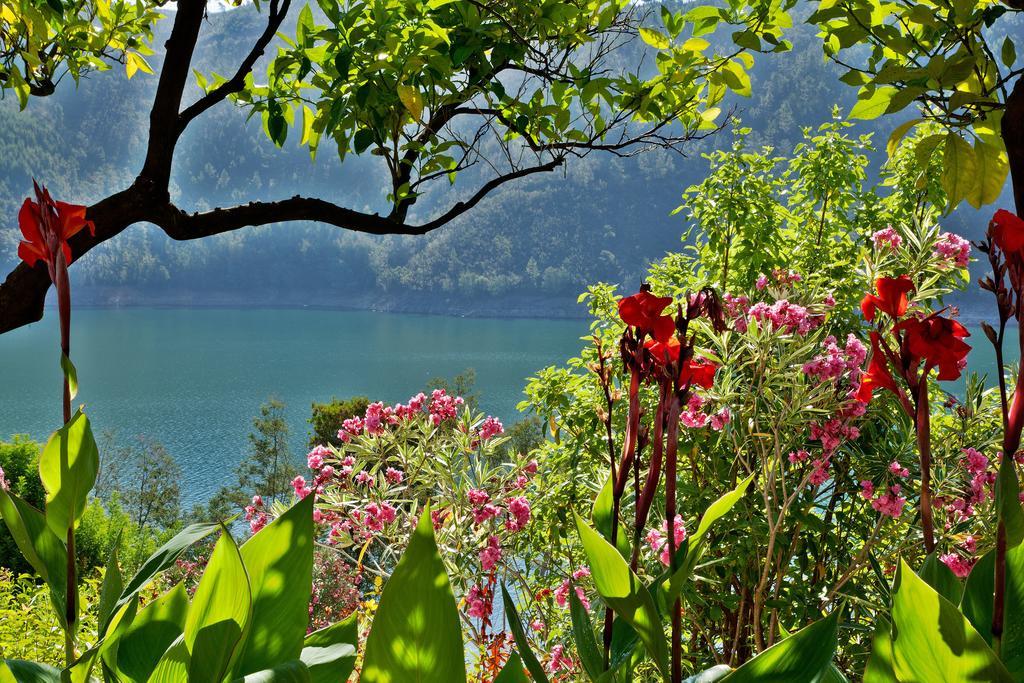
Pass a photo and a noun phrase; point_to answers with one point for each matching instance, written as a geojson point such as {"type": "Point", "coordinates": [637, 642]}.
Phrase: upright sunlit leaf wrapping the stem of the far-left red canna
{"type": "Point", "coordinates": [68, 468]}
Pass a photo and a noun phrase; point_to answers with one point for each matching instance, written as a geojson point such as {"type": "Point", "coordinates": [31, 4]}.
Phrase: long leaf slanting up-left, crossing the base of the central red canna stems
{"type": "Point", "coordinates": [623, 591]}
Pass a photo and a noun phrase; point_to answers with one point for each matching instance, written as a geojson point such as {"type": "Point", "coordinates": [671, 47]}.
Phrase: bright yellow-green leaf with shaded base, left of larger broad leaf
{"type": "Point", "coordinates": [220, 615]}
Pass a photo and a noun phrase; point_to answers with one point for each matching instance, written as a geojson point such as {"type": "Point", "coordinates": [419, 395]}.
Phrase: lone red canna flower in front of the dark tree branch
{"type": "Point", "coordinates": [47, 227]}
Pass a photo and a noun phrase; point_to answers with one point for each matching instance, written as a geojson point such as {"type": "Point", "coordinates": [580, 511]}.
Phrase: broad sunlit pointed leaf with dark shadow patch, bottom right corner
{"type": "Point", "coordinates": [933, 642]}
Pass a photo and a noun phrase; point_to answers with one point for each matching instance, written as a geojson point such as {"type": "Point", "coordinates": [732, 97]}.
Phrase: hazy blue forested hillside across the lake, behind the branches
{"type": "Point", "coordinates": [530, 249]}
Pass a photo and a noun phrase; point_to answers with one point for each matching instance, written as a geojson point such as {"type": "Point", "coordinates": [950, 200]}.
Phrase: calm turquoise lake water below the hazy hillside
{"type": "Point", "coordinates": [193, 379]}
